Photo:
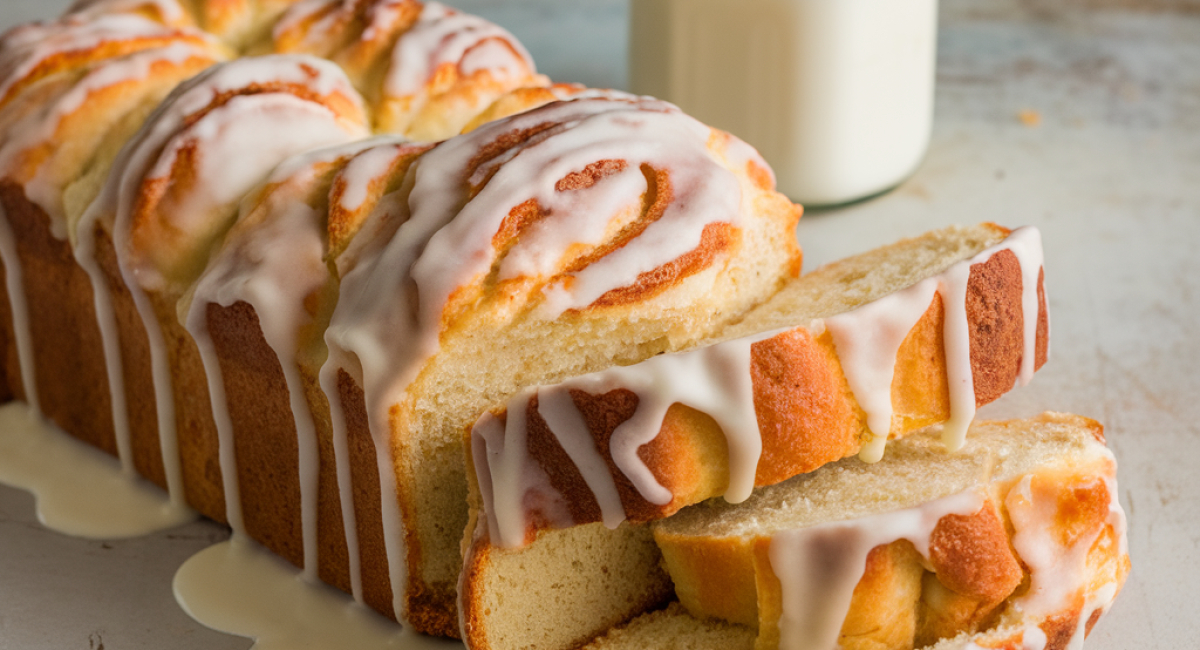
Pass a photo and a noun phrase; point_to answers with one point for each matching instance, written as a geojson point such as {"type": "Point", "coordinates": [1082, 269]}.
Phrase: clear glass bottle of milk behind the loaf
{"type": "Point", "coordinates": [838, 95]}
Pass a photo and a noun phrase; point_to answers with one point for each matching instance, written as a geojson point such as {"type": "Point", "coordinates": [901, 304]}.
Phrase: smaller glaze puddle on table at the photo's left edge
{"type": "Point", "coordinates": [80, 491]}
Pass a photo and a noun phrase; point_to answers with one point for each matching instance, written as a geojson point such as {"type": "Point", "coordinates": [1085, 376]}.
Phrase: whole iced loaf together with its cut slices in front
{"type": "Point", "coordinates": [526, 364]}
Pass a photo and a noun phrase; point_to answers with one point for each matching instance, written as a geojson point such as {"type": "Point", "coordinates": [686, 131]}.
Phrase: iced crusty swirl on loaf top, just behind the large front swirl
{"type": "Point", "coordinates": [175, 190]}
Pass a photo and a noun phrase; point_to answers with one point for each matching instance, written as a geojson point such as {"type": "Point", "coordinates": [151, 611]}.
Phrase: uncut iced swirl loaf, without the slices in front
{"type": "Point", "coordinates": [159, 225]}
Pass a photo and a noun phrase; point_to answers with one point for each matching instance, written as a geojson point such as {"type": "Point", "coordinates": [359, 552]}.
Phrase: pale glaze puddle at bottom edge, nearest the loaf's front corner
{"type": "Point", "coordinates": [237, 587]}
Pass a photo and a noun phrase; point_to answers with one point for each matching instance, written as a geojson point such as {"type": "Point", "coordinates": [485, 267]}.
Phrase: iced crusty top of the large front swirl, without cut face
{"type": "Point", "coordinates": [574, 207]}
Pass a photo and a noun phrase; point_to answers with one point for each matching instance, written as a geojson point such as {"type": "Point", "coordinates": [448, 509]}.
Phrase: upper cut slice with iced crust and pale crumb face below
{"type": "Point", "coordinates": [778, 394]}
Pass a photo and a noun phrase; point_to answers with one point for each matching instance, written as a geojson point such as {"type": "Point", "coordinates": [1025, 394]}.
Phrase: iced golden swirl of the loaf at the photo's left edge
{"type": "Point", "coordinates": [71, 86]}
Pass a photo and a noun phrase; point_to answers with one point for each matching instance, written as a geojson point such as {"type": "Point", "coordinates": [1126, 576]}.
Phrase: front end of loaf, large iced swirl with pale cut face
{"type": "Point", "coordinates": [549, 244]}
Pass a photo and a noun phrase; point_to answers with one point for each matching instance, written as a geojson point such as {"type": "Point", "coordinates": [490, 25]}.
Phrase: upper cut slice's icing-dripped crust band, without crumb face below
{"type": "Point", "coordinates": [885, 296]}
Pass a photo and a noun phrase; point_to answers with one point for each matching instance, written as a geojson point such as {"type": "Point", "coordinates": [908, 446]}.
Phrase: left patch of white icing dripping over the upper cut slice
{"type": "Point", "coordinates": [715, 380]}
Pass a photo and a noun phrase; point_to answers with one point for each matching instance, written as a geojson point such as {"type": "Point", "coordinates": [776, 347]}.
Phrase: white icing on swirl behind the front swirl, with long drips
{"type": "Point", "coordinates": [248, 127]}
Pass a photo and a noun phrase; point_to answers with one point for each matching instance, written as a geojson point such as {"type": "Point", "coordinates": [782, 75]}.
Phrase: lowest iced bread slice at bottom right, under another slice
{"type": "Point", "coordinates": [1019, 528]}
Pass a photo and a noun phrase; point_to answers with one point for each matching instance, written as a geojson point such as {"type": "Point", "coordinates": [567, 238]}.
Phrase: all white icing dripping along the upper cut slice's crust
{"type": "Point", "coordinates": [717, 381]}
